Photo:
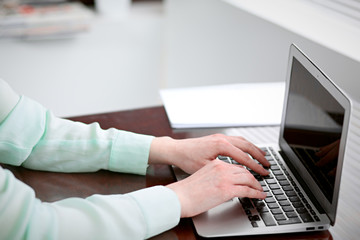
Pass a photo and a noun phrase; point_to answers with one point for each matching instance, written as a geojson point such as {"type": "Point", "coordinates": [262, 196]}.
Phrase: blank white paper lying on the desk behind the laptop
{"type": "Point", "coordinates": [244, 104]}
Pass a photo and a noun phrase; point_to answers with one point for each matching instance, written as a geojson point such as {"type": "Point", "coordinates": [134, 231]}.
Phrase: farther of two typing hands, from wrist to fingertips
{"type": "Point", "coordinates": [192, 154]}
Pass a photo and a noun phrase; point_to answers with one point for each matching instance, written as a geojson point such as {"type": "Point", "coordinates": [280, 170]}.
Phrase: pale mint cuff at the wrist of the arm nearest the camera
{"type": "Point", "coordinates": [160, 207]}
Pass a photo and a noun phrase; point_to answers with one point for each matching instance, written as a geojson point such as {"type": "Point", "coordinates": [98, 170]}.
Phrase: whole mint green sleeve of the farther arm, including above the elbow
{"type": "Point", "coordinates": [33, 137]}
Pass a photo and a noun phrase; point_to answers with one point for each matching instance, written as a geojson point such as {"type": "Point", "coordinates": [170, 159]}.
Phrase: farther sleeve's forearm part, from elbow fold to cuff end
{"type": "Point", "coordinates": [69, 146]}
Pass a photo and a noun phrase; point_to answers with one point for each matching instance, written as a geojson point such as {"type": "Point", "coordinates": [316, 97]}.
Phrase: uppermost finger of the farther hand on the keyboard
{"type": "Point", "coordinates": [250, 148]}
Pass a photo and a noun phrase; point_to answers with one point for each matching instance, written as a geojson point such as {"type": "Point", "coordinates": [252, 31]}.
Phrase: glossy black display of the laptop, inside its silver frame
{"type": "Point", "coordinates": [313, 126]}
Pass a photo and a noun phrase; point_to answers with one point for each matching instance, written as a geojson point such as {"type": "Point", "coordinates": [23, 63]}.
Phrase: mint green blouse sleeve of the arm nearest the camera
{"type": "Point", "coordinates": [137, 215]}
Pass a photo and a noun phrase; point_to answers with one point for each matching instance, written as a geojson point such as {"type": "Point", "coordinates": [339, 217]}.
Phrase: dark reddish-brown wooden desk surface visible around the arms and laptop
{"type": "Point", "coordinates": [55, 186]}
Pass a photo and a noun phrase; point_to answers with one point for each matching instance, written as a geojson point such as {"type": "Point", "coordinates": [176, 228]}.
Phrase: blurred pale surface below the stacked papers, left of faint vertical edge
{"type": "Point", "coordinates": [116, 65]}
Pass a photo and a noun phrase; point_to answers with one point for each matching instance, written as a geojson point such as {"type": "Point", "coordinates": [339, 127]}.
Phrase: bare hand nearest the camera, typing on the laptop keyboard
{"type": "Point", "coordinates": [215, 183]}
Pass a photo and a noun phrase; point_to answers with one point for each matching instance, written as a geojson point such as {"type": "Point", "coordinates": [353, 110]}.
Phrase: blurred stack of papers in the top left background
{"type": "Point", "coordinates": [44, 21]}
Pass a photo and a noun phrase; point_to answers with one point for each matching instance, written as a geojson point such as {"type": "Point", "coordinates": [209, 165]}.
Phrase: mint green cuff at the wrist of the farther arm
{"type": "Point", "coordinates": [130, 153]}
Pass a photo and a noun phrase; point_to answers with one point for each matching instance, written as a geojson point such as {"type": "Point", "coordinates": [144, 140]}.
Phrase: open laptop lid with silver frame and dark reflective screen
{"type": "Point", "coordinates": [314, 129]}
